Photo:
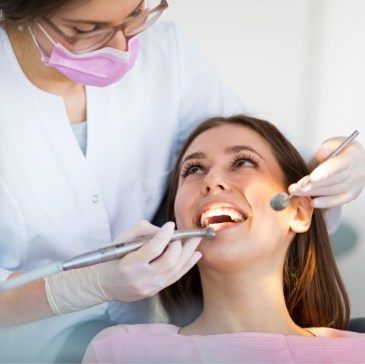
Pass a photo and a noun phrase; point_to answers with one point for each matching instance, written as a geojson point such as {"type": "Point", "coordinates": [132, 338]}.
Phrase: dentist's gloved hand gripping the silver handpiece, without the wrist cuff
{"type": "Point", "coordinates": [154, 266]}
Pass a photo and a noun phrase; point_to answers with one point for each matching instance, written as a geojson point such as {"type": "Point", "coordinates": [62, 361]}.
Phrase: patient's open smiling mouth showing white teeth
{"type": "Point", "coordinates": [218, 217]}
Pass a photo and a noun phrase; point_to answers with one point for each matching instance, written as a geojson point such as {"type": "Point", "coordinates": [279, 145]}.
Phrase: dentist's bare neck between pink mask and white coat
{"type": "Point", "coordinates": [46, 78]}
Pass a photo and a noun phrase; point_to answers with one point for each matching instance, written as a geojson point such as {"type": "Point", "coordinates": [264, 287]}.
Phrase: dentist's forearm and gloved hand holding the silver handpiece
{"type": "Point", "coordinates": [139, 274]}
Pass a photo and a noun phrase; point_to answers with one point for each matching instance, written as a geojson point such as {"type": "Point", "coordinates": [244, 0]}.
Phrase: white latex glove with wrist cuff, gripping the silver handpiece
{"type": "Point", "coordinates": [137, 275]}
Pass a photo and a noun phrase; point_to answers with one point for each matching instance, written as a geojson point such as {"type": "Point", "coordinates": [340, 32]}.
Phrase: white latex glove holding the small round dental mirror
{"type": "Point", "coordinates": [336, 181]}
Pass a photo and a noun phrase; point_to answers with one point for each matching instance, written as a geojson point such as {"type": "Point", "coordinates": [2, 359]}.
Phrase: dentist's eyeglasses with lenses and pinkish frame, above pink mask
{"type": "Point", "coordinates": [143, 17]}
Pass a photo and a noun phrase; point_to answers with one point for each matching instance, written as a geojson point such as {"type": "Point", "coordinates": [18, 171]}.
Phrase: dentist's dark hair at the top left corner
{"type": "Point", "coordinates": [21, 11]}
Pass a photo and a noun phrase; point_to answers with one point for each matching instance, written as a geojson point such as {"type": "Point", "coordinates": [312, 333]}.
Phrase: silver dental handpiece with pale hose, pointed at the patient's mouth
{"type": "Point", "coordinates": [101, 255]}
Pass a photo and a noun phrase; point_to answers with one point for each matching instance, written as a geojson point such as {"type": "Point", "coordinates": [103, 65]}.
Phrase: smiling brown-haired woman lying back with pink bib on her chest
{"type": "Point", "coordinates": [267, 288]}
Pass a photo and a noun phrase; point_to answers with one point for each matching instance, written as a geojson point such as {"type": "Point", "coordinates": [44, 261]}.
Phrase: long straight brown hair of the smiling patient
{"type": "Point", "coordinates": [314, 292]}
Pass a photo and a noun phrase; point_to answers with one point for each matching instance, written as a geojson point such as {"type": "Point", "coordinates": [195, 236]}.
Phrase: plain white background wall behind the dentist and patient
{"type": "Point", "coordinates": [299, 63]}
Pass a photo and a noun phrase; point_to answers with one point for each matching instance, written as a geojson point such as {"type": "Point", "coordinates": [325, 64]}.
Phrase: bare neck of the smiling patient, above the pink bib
{"type": "Point", "coordinates": [244, 301]}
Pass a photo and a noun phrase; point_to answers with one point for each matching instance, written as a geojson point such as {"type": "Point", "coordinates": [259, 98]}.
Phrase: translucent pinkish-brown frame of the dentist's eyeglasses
{"type": "Point", "coordinates": [72, 41]}
